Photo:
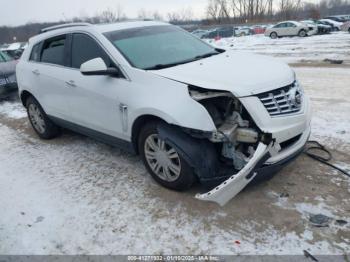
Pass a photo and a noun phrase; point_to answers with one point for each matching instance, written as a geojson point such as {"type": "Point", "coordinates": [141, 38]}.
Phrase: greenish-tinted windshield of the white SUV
{"type": "Point", "coordinates": [157, 47]}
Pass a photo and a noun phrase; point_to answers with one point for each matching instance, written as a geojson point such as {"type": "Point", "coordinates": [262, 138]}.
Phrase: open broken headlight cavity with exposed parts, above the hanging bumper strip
{"type": "Point", "coordinates": [237, 136]}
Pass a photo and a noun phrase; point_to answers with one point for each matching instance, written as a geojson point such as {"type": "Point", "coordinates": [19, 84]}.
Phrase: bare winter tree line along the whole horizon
{"type": "Point", "coordinates": [217, 12]}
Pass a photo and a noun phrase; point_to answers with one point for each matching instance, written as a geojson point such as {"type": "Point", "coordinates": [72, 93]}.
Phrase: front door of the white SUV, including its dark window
{"type": "Point", "coordinates": [94, 101]}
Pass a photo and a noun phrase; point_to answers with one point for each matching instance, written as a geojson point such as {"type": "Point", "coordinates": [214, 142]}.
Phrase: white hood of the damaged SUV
{"type": "Point", "coordinates": [243, 74]}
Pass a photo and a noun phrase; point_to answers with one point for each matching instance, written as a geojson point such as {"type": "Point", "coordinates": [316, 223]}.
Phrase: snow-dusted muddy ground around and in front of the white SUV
{"type": "Point", "coordinates": [73, 195]}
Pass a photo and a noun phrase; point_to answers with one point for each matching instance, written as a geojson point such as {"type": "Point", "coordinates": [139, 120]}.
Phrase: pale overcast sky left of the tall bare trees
{"type": "Point", "coordinates": [19, 12]}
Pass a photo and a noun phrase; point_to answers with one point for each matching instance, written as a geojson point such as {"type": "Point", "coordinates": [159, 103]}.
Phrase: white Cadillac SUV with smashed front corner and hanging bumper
{"type": "Point", "coordinates": [191, 111]}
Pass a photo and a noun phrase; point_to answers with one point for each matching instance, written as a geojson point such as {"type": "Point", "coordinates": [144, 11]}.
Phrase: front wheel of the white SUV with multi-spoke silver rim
{"type": "Point", "coordinates": [162, 161]}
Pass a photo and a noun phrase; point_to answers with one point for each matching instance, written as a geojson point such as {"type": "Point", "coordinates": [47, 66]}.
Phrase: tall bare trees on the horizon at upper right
{"type": "Point", "coordinates": [252, 11]}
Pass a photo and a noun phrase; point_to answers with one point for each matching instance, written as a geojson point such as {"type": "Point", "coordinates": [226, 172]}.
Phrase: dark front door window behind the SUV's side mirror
{"type": "Point", "coordinates": [84, 48]}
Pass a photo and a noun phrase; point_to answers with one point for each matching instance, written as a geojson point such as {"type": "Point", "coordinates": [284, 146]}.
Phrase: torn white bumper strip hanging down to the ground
{"type": "Point", "coordinates": [235, 184]}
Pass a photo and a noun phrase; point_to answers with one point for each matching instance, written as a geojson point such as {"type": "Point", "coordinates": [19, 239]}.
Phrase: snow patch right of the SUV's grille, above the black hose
{"type": "Point", "coordinates": [329, 90]}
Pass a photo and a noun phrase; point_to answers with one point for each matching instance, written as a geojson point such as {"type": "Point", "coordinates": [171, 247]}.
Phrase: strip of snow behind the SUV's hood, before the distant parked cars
{"type": "Point", "coordinates": [293, 49]}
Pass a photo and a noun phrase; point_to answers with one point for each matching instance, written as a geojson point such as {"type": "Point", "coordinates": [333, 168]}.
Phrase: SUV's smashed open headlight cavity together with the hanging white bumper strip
{"type": "Point", "coordinates": [239, 142]}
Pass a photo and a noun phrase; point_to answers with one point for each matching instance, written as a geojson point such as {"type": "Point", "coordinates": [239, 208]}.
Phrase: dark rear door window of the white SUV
{"type": "Point", "coordinates": [53, 51]}
